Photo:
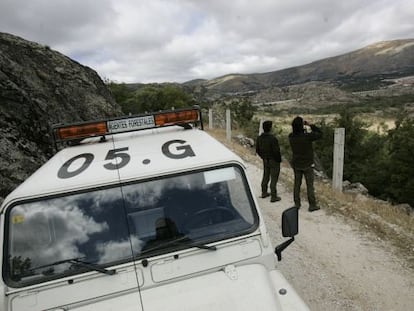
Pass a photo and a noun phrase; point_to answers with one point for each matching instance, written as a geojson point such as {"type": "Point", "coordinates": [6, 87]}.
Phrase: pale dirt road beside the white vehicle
{"type": "Point", "coordinates": [333, 264]}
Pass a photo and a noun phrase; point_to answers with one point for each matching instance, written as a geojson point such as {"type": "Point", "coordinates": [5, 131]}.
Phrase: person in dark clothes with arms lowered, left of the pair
{"type": "Point", "coordinates": [267, 147]}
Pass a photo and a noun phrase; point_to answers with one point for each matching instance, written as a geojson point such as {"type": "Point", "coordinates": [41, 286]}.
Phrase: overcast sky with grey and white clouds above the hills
{"type": "Point", "coordinates": [180, 40]}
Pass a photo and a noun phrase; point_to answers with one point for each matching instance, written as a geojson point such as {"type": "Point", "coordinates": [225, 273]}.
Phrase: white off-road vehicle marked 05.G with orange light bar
{"type": "Point", "coordinates": [146, 212]}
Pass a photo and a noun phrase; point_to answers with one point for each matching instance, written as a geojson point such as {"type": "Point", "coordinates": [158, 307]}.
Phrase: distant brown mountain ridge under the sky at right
{"type": "Point", "coordinates": [376, 62]}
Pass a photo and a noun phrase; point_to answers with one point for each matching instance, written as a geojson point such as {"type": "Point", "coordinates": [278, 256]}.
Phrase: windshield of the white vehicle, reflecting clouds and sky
{"type": "Point", "coordinates": [113, 225]}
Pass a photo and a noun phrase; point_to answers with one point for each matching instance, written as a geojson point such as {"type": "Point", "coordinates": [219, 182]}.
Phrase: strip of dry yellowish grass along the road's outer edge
{"type": "Point", "coordinates": [388, 222]}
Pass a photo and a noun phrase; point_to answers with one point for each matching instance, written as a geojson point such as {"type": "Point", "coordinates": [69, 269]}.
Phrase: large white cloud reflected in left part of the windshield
{"type": "Point", "coordinates": [72, 227]}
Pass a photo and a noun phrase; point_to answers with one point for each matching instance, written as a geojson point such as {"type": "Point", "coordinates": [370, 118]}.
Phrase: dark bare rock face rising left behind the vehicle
{"type": "Point", "coordinates": [40, 87]}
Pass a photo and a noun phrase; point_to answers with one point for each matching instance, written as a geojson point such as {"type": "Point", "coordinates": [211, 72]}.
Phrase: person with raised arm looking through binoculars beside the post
{"type": "Point", "coordinates": [301, 143]}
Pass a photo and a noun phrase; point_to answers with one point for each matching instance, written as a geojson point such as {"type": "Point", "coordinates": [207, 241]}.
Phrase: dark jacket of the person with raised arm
{"type": "Point", "coordinates": [302, 148]}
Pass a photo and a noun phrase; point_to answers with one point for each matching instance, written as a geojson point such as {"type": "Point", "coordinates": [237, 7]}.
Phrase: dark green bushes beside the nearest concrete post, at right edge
{"type": "Point", "coordinates": [384, 164]}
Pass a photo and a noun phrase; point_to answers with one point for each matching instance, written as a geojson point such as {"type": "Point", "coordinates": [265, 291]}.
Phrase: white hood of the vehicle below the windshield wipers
{"type": "Point", "coordinates": [249, 287]}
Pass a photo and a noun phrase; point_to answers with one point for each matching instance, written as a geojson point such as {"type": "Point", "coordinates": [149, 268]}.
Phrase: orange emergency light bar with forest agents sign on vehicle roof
{"type": "Point", "coordinates": [73, 133]}
